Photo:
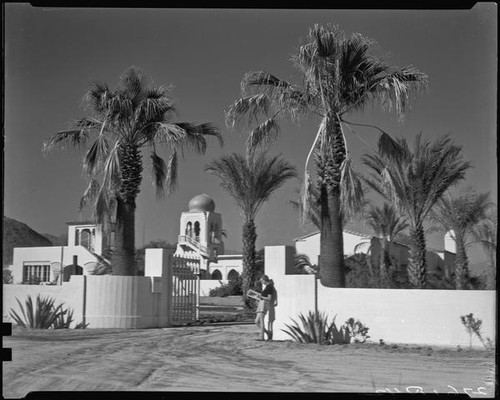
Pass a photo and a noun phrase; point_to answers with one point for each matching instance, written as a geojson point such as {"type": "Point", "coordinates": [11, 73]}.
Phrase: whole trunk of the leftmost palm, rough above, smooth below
{"type": "Point", "coordinates": [122, 261]}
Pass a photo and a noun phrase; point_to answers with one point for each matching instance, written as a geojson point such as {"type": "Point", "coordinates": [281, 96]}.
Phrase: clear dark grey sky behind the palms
{"type": "Point", "coordinates": [53, 54]}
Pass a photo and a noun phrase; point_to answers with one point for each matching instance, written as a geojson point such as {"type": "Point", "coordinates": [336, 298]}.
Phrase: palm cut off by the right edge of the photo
{"type": "Point", "coordinates": [485, 233]}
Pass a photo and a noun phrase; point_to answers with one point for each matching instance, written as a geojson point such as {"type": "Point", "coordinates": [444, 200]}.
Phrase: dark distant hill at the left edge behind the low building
{"type": "Point", "coordinates": [18, 234]}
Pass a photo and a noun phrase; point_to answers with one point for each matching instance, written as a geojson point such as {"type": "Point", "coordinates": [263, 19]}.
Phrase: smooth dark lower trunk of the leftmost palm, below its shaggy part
{"type": "Point", "coordinates": [122, 261]}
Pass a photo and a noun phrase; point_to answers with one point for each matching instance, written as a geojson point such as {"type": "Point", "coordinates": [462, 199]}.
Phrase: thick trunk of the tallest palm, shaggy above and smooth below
{"type": "Point", "coordinates": [330, 156]}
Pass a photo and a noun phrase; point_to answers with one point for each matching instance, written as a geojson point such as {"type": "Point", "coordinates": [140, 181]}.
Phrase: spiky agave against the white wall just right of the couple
{"type": "Point", "coordinates": [314, 328]}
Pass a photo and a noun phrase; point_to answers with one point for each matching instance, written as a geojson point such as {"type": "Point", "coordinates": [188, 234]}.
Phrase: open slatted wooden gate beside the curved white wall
{"type": "Point", "coordinates": [185, 300]}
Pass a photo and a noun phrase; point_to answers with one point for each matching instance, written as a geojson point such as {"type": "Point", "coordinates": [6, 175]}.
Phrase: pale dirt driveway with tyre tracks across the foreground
{"type": "Point", "coordinates": [229, 358]}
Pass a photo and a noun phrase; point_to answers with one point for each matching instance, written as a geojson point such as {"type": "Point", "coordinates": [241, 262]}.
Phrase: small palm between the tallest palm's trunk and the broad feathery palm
{"type": "Point", "coordinates": [387, 224]}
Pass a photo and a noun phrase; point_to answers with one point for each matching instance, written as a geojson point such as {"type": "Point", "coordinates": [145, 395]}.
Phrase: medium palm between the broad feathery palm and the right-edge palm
{"type": "Point", "coordinates": [460, 214]}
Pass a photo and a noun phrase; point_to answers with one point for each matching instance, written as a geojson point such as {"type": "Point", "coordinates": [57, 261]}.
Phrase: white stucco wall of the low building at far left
{"type": "Point", "coordinates": [48, 255]}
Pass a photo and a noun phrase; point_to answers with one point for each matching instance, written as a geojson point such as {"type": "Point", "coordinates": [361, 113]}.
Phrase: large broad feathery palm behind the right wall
{"type": "Point", "coordinates": [414, 179]}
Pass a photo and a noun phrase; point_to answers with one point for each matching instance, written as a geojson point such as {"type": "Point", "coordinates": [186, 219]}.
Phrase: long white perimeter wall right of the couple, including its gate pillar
{"type": "Point", "coordinates": [394, 315]}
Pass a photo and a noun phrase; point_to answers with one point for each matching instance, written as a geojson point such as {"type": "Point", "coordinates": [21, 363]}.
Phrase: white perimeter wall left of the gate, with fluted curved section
{"type": "Point", "coordinates": [102, 301]}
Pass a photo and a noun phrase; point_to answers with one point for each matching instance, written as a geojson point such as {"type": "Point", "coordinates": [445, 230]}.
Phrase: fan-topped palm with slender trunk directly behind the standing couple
{"type": "Point", "coordinates": [250, 181]}
